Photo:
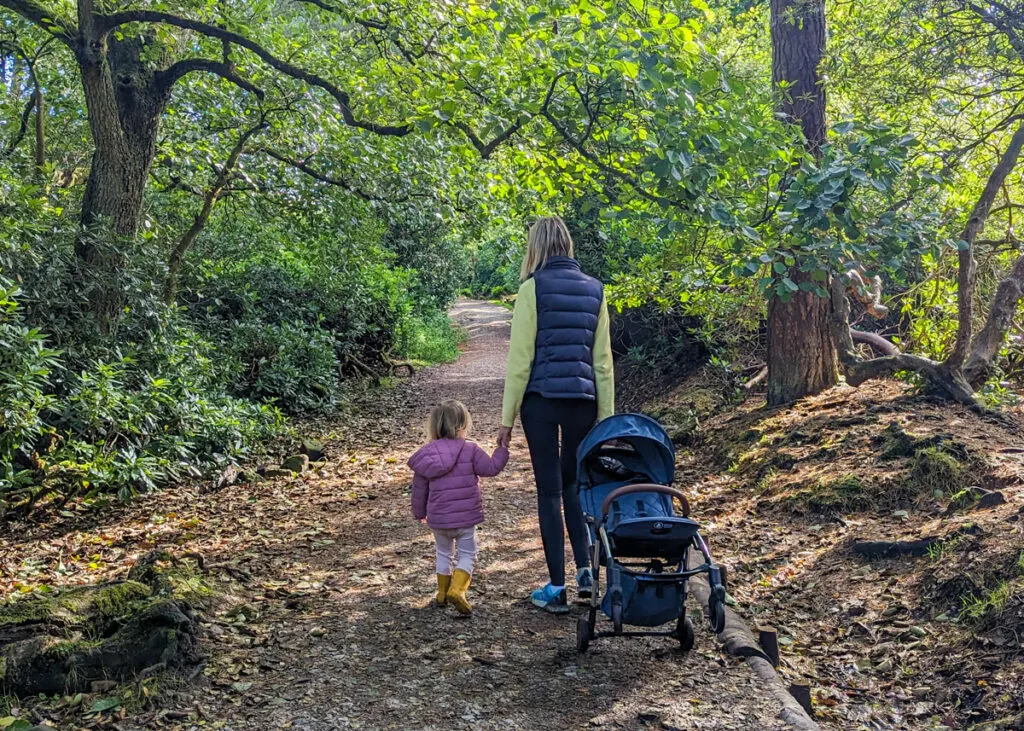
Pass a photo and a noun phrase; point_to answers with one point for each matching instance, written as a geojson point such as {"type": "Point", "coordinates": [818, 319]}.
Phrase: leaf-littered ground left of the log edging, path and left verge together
{"type": "Point", "coordinates": [323, 617]}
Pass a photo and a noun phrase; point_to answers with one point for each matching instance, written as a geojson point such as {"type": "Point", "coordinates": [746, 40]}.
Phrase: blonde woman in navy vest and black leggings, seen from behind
{"type": "Point", "coordinates": [561, 381]}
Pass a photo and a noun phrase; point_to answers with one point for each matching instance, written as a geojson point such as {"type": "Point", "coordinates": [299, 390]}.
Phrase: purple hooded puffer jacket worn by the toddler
{"type": "Point", "coordinates": [447, 486]}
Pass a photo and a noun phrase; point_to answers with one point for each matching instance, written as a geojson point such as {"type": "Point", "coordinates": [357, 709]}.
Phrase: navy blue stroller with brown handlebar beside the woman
{"type": "Point", "coordinates": [625, 468]}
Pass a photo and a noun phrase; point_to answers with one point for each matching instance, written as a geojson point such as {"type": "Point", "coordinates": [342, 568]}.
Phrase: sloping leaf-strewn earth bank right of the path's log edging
{"type": "Point", "coordinates": [787, 496]}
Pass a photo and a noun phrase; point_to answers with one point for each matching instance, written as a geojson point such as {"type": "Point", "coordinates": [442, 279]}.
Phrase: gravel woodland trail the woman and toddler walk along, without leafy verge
{"type": "Point", "coordinates": [375, 654]}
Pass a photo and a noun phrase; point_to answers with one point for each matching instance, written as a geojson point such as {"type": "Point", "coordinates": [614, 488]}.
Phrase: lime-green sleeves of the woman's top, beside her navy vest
{"type": "Point", "coordinates": [522, 357]}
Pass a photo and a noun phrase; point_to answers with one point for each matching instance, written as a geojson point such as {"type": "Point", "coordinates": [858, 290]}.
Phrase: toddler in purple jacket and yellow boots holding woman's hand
{"type": "Point", "coordinates": [447, 497]}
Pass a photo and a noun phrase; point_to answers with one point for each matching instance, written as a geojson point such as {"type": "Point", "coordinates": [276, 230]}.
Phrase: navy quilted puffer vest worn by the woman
{"type": "Point", "coordinates": [568, 307]}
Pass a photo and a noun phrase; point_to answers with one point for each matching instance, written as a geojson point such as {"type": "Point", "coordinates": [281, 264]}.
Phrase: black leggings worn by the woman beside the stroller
{"type": "Point", "coordinates": [556, 475]}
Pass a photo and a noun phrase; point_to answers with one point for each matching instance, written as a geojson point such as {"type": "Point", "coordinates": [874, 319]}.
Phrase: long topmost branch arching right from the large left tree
{"type": "Point", "coordinates": [340, 97]}
